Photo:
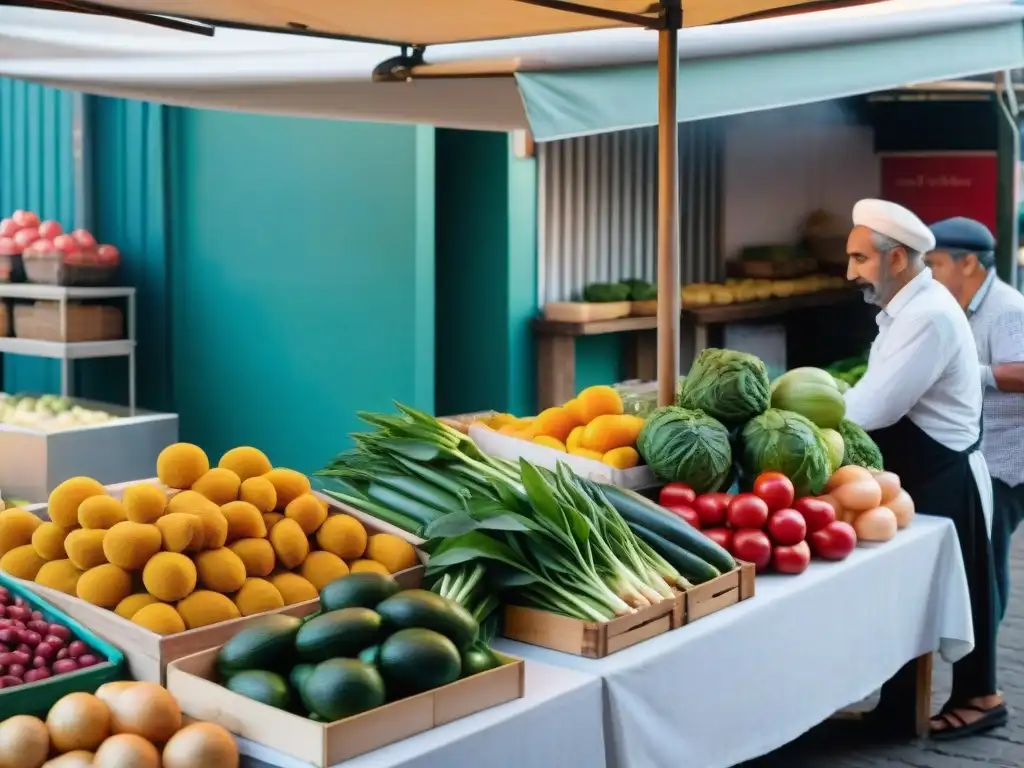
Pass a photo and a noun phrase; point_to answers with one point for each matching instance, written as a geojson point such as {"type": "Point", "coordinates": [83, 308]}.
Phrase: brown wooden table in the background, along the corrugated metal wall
{"type": "Point", "coordinates": [557, 340]}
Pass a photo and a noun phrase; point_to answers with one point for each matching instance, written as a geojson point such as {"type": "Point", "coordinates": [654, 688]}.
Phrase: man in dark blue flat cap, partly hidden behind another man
{"type": "Point", "coordinates": [964, 261]}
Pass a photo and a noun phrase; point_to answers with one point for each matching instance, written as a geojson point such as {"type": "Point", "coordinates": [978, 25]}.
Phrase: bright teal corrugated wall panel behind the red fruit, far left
{"type": "Point", "coordinates": [37, 174]}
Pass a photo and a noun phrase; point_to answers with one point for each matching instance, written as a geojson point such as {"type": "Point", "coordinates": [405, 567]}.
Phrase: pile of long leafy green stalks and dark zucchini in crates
{"type": "Point", "coordinates": [551, 541]}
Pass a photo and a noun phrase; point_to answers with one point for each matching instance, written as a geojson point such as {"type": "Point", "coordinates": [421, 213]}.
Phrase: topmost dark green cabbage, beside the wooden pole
{"type": "Point", "coordinates": [732, 387]}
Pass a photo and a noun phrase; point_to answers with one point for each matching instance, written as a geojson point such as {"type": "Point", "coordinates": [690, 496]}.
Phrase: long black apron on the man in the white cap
{"type": "Point", "coordinates": [942, 484]}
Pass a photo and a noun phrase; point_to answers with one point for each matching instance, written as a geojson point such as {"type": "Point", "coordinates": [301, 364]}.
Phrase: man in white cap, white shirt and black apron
{"type": "Point", "coordinates": [921, 403]}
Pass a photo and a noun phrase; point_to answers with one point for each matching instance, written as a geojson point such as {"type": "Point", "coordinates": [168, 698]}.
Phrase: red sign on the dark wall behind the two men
{"type": "Point", "coordinates": [940, 186]}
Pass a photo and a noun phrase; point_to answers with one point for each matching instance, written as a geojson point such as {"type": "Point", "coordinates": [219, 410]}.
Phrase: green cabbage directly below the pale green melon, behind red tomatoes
{"type": "Point", "coordinates": [788, 443]}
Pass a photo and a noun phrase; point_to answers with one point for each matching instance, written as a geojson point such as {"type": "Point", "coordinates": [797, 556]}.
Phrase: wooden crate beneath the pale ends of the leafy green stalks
{"type": "Point", "coordinates": [590, 639]}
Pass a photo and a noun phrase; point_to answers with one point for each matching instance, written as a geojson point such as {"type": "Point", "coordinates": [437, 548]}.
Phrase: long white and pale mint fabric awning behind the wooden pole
{"type": "Point", "coordinates": [496, 86]}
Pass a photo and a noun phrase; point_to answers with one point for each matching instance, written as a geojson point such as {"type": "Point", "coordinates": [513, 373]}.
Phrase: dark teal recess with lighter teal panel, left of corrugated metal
{"type": "Point", "coordinates": [487, 274]}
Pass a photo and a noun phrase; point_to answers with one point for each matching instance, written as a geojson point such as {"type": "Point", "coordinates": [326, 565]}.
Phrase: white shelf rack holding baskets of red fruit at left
{"type": "Point", "coordinates": [68, 352]}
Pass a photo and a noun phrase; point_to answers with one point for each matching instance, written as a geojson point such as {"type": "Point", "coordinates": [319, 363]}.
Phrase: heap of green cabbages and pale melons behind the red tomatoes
{"type": "Point", "coordinates": [733, 424]}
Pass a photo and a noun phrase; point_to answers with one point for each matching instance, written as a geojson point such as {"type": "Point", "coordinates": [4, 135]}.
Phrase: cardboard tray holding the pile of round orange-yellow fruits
{"type": "Point", "coordinates": [148, 654]}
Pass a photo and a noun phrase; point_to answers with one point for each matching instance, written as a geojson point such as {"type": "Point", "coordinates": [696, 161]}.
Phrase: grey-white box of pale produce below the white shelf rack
{"type": "Point", "coordinates": [34, 462]}
